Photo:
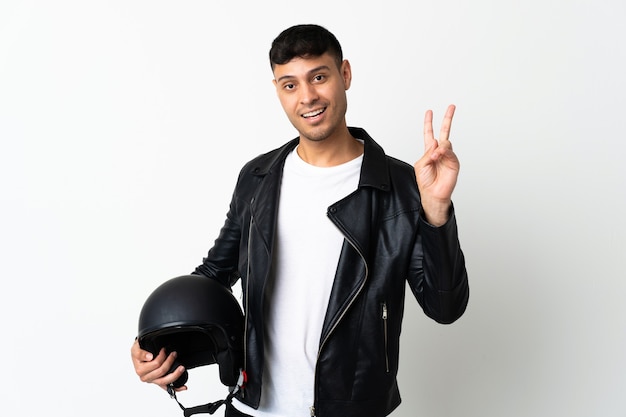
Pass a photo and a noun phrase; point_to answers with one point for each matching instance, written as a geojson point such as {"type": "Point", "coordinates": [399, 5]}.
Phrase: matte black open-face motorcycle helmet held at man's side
{"type": "Point", "coordinates": [199, 319]}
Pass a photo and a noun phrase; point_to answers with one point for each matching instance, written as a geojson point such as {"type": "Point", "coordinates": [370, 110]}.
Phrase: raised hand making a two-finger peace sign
{"type": "Point", "coordinates": [437, 170]}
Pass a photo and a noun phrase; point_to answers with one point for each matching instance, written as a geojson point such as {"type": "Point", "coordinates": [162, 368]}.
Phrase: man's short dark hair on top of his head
{"type": "Point", "coordinates": [302, 41]}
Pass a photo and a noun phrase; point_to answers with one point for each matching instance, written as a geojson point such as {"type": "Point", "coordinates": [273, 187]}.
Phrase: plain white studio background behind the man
{"type": "Point", "coordinates": [123, 125]}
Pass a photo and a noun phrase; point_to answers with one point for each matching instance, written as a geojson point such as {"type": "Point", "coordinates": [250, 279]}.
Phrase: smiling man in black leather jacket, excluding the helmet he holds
{"type": "Point", "coordinates": [324, 233]}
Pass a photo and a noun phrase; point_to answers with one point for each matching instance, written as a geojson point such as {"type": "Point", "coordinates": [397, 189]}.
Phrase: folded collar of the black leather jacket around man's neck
{"type": "Point", "coordinates": [374, 171]}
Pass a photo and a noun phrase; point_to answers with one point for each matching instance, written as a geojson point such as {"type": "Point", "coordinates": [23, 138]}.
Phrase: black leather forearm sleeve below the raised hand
{"type": "Point", "coordinates": [439, 279]}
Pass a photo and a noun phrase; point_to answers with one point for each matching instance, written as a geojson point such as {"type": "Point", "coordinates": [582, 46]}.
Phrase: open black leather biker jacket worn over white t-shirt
{"type": "Point", "coordinates": [387, 244]}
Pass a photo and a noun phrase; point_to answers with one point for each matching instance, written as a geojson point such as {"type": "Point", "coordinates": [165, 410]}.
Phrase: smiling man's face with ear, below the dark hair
{"type": "Point", "coordinates": [312, 92]}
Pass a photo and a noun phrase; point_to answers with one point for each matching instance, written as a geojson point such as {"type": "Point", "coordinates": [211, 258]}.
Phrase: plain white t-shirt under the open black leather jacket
{"type": "Point", "coordinates": [306, 253]}
